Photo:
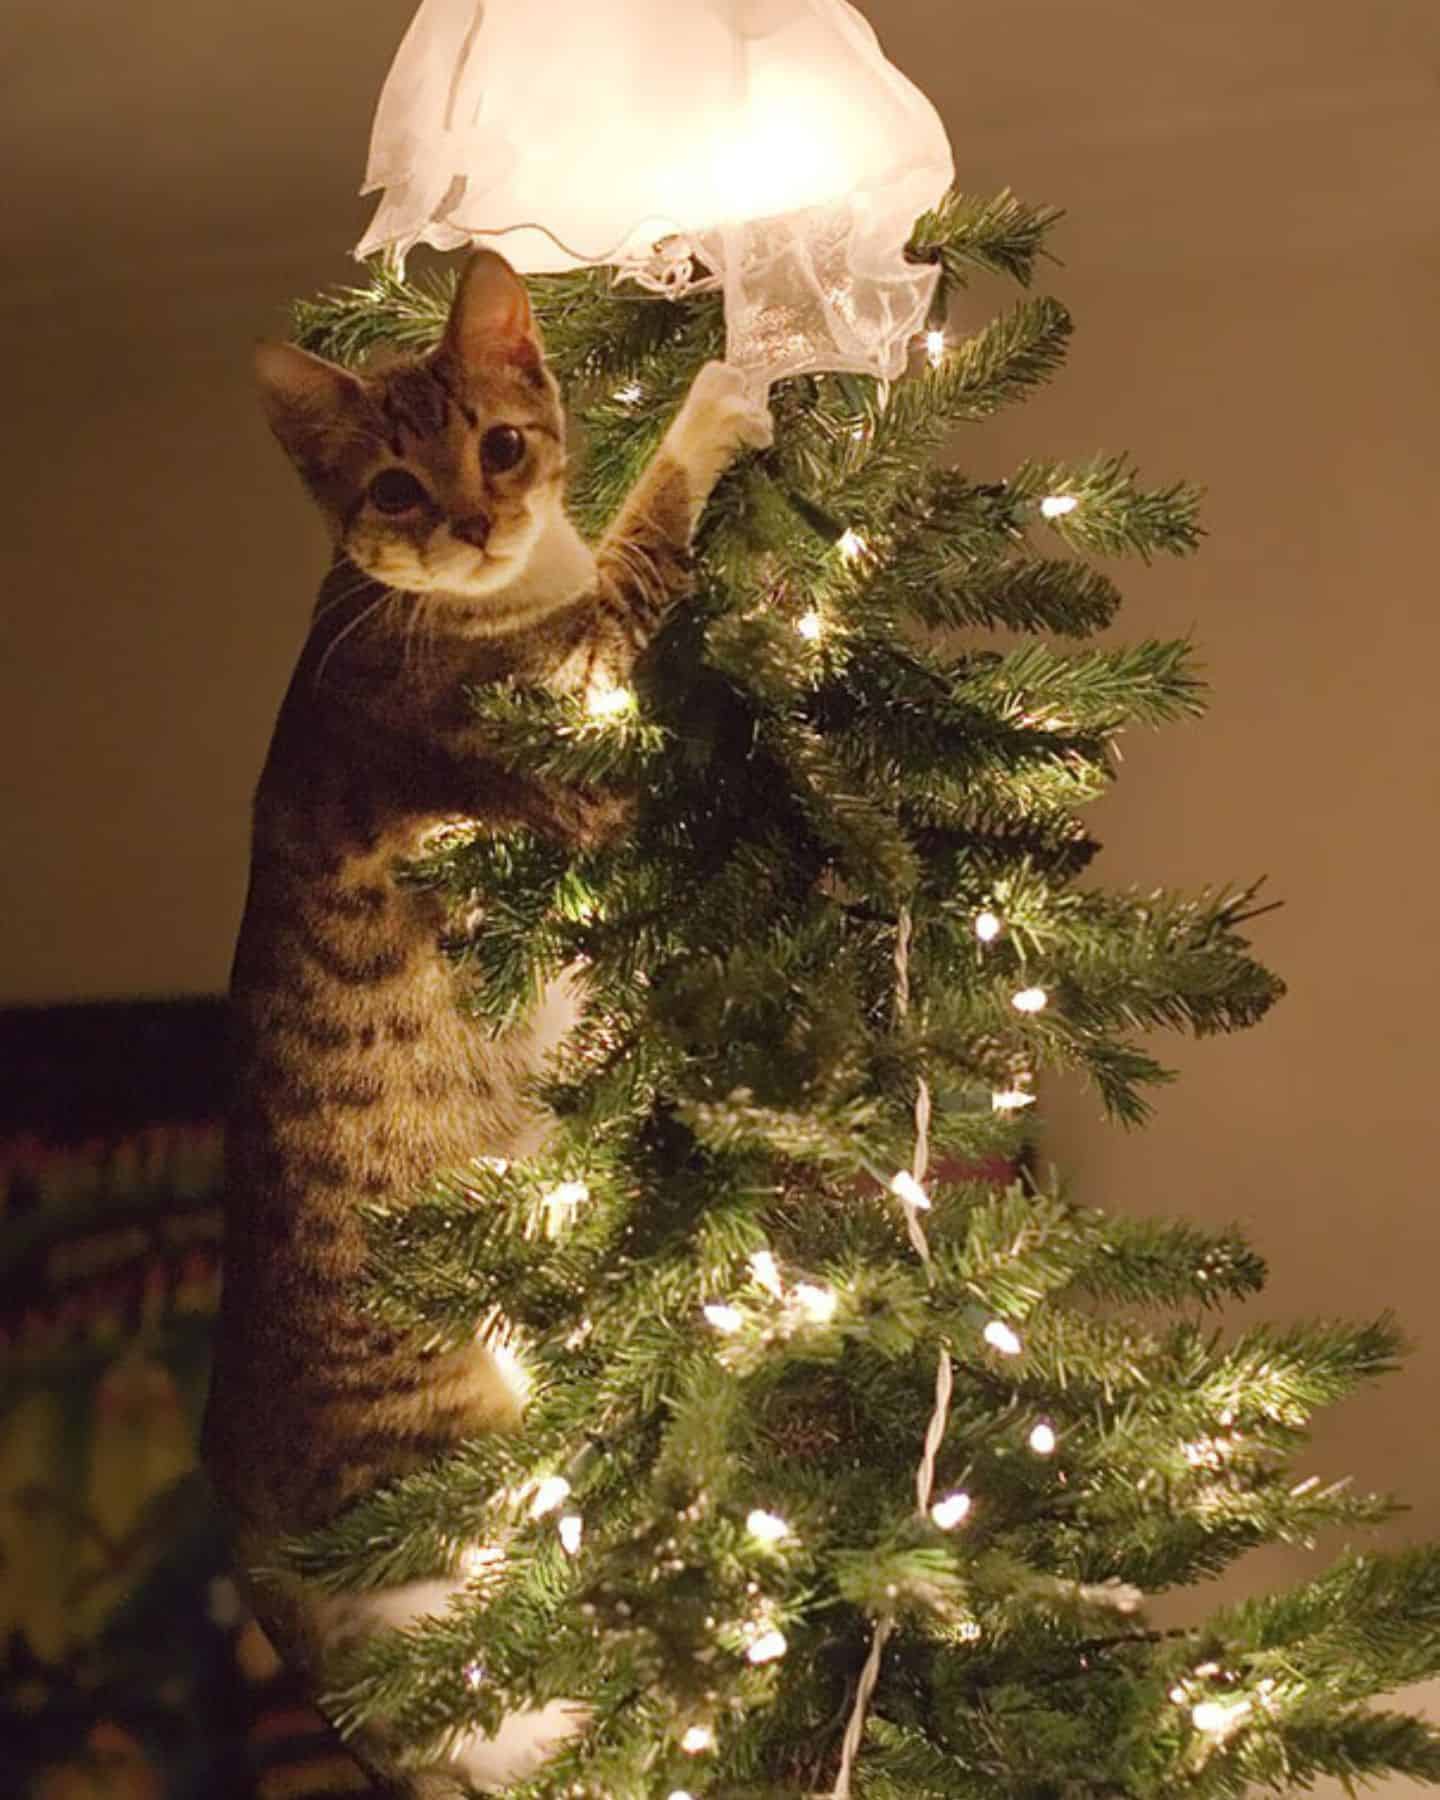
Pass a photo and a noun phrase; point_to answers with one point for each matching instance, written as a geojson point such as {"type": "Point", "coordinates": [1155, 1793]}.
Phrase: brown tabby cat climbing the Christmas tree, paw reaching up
{"type": "Point", "coordinates": [355, 1074]}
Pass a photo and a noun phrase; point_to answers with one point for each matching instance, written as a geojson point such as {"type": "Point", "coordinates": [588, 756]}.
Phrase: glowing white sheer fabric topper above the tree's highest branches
{"type": "Point", "coordinates": [769, 141]}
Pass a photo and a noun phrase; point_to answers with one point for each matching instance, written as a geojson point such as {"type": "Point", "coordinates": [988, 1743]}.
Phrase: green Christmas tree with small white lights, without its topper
{"type": "Point", "coordinates": [854, 1446]}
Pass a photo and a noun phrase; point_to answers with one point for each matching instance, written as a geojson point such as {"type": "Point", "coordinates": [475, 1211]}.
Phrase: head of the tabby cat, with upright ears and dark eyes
{"type": "Point", "coordinates": [435, 474]}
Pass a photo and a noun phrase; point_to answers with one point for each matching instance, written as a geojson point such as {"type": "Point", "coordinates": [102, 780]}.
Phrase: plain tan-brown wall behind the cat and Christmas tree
{"type": "Point", "coordinates": [1252, 258]}
